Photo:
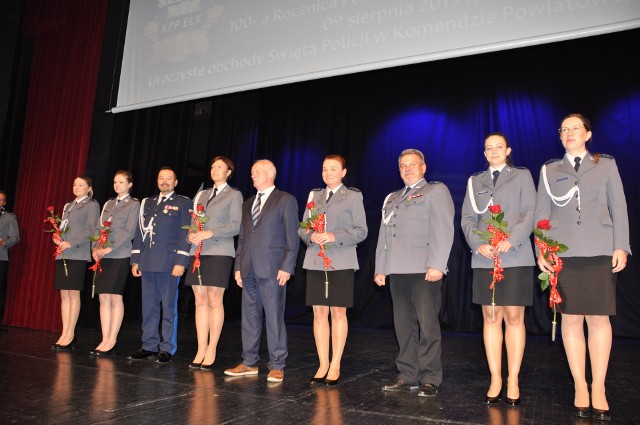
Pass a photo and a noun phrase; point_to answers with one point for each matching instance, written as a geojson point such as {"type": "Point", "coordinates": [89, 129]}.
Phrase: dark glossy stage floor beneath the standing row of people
{"type": "Point", "coordinates": [38, 386]}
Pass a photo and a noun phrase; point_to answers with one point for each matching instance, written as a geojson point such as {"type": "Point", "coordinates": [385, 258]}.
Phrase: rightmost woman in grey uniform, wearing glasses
{"type": "Point", "coordinates": [582, 196]}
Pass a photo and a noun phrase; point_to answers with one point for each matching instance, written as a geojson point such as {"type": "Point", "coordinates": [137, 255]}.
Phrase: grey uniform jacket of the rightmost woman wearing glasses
{"type": "Point", "coordinates": [594, 220]}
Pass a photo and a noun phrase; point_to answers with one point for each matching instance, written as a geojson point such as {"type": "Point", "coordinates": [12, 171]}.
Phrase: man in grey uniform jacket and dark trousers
{"type": "Point", "coordinates": [415, 239]}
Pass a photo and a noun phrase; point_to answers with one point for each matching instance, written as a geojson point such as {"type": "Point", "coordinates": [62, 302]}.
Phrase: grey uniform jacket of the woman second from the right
{"type": "Point", "coordinates": [516, 194]}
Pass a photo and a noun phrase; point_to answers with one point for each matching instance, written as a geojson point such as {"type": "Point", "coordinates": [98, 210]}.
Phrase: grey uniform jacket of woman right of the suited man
{"type": "Point", "coordinates": [346, 219]}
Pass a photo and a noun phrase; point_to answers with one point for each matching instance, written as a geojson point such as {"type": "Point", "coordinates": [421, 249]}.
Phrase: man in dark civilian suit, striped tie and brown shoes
{"type": "Point", "coordinates": [265, 260]}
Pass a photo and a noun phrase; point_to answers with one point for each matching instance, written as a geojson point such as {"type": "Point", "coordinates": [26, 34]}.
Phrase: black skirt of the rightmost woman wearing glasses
{"type": "Point", "coordinates": [587, 286]}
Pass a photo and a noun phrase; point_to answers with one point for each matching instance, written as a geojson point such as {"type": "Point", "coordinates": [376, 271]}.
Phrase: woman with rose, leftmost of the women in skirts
{"type": "Point", "coordinates": [80, 217]}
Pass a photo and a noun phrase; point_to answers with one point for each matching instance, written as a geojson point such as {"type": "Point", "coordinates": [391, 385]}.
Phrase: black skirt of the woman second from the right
{"type": "Point", "coordinates": [515, 289]}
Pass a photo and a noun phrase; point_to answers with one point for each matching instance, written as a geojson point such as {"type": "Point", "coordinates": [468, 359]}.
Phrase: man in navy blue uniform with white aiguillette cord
{"type": "Point", "coordinates": [160, 255]}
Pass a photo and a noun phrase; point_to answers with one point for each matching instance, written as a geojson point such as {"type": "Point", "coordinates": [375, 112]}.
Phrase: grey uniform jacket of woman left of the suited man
{"type": "Point", "coordinates": [224, 212]}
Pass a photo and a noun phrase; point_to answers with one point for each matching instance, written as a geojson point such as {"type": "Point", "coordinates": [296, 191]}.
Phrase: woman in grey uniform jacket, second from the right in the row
{"type": "Point", "coordinates": [511, 188]}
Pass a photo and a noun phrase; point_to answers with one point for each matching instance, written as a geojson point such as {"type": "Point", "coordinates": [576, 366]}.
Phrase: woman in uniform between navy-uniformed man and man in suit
{"type": "Point", "coordinates": [223, 205]}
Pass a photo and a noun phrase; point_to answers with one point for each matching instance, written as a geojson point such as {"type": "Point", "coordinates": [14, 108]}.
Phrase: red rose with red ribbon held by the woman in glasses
{"type": "Point", "coordinates": [549, 249]}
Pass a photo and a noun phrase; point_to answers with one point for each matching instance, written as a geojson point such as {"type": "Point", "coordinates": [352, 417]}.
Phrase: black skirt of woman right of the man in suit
{"type": "Point", "coordinates": [340, 288]}
